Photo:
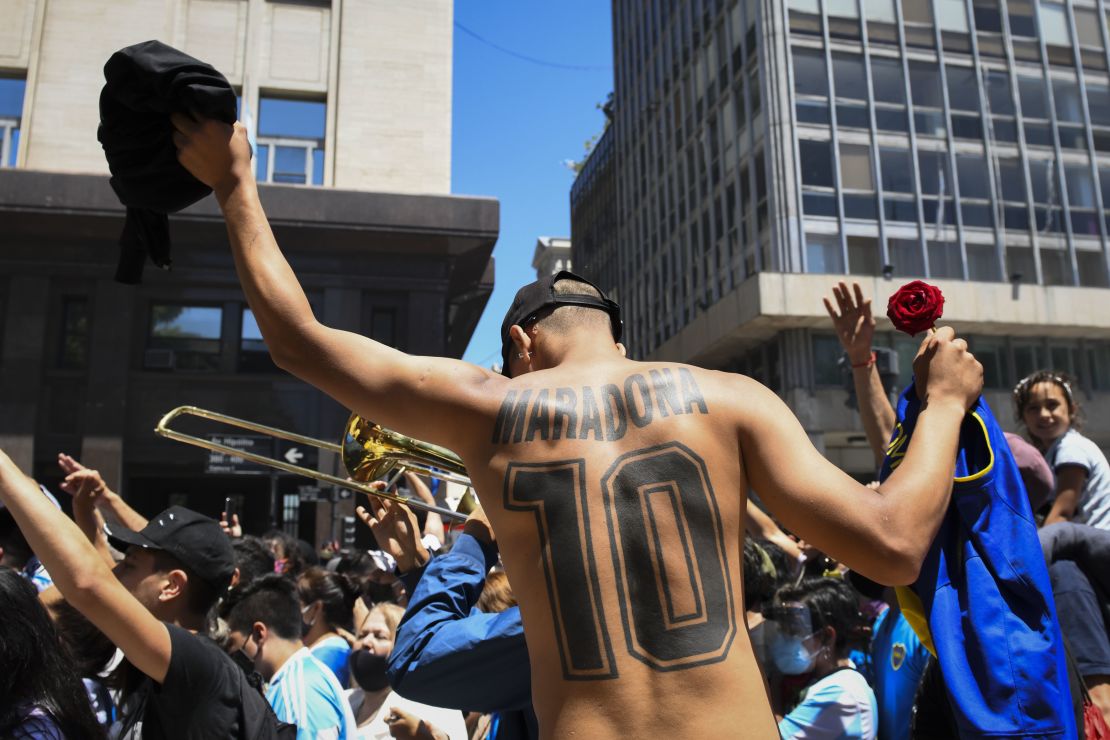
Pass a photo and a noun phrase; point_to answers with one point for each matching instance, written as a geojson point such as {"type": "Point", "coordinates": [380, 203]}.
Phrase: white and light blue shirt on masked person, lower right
{"type": "Point", "coordinates": [840, 706]}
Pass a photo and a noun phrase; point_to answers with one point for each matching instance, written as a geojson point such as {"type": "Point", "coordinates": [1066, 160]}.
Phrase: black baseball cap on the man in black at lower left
{"type": "Point", "coordinates": [194, 540]}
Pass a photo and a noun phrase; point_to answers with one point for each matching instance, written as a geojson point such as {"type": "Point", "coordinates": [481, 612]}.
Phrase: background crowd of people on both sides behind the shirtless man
{"type": "Point", "coordinates": [421, 638]}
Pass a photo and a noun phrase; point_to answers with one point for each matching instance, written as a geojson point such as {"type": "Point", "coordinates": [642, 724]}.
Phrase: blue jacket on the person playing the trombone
{"type": "Point", "coordinates": [448, 654]}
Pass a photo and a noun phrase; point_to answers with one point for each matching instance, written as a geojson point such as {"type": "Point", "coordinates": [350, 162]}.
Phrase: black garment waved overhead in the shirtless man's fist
{"type": "Point", "coordinates": [144, 85]}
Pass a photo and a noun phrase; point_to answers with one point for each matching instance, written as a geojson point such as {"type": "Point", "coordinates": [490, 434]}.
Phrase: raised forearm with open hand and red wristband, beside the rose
{"type": "Point", "coordinates": [855, 328]}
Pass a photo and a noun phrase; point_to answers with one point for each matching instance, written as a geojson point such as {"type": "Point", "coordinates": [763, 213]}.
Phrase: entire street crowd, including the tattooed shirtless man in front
{"type": "Point", "coordinates": [615, 496]}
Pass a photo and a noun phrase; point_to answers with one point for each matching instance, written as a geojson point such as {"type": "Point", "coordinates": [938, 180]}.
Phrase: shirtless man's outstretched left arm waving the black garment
{"type": "Point", "coordinates": [432, 399]}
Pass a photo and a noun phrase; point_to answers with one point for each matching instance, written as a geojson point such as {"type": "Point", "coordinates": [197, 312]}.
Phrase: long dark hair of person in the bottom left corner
{"type": "Point", "coordinates": [37, 672]}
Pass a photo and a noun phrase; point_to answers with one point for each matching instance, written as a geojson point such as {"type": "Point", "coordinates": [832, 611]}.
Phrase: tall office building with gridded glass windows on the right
{"type": "Point", "coordinates": [763, 151]}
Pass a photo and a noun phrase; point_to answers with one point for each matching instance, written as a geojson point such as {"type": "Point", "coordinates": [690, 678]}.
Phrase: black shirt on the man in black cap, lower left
{"type": "Point", "coordinates": [203, 697]}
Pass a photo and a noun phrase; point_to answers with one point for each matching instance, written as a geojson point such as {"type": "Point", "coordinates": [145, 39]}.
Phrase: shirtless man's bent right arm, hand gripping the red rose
{"type": "Point", "coordinates": [884, 534]}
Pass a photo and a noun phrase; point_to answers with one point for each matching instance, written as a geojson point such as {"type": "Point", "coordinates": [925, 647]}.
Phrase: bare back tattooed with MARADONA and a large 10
{"type": "Point", "coordinates": [615, 498]}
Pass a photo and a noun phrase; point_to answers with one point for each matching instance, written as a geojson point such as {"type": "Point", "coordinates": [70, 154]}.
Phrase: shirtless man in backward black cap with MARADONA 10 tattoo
{"type": "Point", "coordinates": [612, 485]}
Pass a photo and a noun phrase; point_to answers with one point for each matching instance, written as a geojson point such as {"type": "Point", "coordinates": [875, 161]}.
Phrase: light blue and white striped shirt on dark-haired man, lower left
{"type": "Point", "coordinates": [305, 693]}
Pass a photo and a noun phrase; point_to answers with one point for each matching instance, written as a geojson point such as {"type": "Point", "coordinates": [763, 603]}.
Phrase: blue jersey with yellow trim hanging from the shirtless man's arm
{"type": "Point", "coordinates": [983, 603]}
